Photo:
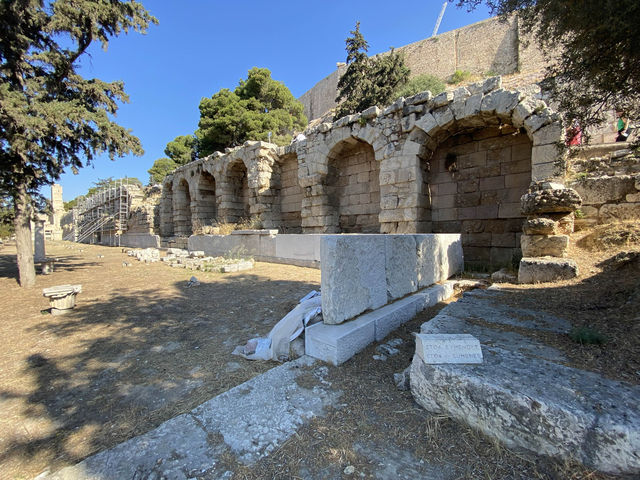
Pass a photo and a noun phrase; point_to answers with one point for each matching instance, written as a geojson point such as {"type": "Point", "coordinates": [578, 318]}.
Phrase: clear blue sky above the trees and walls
{"type": "Point", "coordinates": [201, 46]}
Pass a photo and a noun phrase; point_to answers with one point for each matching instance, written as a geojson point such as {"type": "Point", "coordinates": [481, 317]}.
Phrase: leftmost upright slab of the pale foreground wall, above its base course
{"type": "Point", "coordinates": [353, 275]}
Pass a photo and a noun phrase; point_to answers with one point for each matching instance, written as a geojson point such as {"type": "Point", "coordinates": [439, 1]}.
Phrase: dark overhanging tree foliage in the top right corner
{"type": "Point", "coordinates": [597, 67]}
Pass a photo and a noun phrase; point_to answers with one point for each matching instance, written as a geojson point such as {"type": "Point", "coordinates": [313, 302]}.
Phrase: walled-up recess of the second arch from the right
{"type": "Point", "coordinates": [352, 187]}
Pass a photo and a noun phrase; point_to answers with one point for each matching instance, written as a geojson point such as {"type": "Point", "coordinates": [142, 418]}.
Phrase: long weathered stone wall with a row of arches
{"type": "Point", "coordinates": [385, 172]}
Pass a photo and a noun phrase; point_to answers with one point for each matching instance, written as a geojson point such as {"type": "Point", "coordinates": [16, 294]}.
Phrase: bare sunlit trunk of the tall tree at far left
{"type": "Point", "coordinates": [24, 243]}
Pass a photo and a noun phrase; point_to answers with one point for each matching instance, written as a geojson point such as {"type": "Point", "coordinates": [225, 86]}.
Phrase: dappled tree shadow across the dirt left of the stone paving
{"type": "Point", "coordinates": [124, 366]}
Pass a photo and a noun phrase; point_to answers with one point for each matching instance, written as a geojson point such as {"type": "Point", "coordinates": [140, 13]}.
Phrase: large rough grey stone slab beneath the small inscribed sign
{"type": "Point", "coordinates": [522, 397]}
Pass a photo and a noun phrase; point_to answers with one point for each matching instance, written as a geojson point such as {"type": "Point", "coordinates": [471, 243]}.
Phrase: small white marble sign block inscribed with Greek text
{"type": "Point", "coordinates": [448, 348]}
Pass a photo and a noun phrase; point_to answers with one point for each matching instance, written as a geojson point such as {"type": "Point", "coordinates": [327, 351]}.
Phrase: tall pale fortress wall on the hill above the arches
{"type": "Point", "coordinates": [490, 47]}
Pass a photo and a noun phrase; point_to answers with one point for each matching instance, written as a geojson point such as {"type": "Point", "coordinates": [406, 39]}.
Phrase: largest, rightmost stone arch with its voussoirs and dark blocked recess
{"type": "Point", "coordinates": [478, 154]}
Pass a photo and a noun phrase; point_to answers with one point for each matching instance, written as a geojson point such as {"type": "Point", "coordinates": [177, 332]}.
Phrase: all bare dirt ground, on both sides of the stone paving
{"type": "Point", "coordinates": [141, 347]}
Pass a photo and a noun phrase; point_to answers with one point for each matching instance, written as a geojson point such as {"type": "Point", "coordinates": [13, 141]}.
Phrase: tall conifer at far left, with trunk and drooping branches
{"type": "Point", "coordinates": [52, 118]}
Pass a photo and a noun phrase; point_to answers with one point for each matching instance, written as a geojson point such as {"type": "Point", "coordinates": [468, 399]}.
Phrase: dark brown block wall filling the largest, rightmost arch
{"type": "Point", "coordinates": [479, 193]}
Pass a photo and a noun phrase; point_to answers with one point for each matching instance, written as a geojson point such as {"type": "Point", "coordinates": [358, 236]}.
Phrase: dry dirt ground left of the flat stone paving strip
{"type": "Point", "coordinates": [139, 348]}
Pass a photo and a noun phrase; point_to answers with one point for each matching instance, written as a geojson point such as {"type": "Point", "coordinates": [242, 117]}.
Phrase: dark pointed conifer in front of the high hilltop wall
{"type": "Point", "coordinates": [368, 81]}
